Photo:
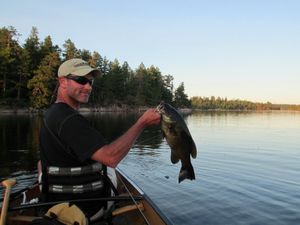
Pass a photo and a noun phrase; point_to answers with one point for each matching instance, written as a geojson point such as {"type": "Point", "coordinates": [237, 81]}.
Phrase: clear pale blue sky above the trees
{"type": "Point", "coordinates": [236, 49]}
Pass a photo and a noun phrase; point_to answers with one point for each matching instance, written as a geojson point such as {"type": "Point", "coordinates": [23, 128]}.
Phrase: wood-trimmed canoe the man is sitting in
{"type": "Point", "coordinates": [132, 205]}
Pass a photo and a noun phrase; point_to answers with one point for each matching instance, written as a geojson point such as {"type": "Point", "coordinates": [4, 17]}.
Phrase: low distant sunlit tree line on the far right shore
{"type": "Point", "coordinates": [218, 103]}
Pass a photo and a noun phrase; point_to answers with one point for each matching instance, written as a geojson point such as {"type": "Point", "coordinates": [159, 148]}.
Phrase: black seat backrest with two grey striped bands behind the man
{"type": "Point", "coordinates": [70, 183]}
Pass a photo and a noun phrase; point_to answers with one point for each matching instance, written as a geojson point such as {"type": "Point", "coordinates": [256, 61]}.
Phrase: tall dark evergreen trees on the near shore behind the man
{"type": "Point", "coordinates": [28, 75]}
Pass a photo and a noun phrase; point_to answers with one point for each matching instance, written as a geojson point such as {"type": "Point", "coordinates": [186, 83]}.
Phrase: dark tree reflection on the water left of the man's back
{"type": "Point", "coordinates": [19, 143]}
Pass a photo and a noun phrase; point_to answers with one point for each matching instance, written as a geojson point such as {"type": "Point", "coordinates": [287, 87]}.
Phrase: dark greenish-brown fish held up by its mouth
{"type": "Point", "coordinates": [179, 139]}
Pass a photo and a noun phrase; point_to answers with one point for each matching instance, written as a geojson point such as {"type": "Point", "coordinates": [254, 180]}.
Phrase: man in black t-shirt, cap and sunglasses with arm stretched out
{"type": "Point", "coordinates": [67, 139]}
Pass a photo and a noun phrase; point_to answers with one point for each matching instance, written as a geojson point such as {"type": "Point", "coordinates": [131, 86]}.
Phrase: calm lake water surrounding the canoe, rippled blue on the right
{"type": "Point", "coordinates": [247, 169]}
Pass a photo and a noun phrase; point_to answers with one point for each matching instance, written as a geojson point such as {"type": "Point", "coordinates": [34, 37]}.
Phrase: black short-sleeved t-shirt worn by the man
{"type": "Point", "coordinates": [71, 140]}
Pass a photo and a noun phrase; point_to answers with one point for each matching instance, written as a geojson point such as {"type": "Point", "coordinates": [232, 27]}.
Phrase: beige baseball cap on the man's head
{"type": "Point", "coordinates": [77, 67]}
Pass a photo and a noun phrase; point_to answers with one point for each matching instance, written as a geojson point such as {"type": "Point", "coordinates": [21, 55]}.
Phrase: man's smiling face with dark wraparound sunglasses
{"type": "Point", "coordinates": [78, 88]}
